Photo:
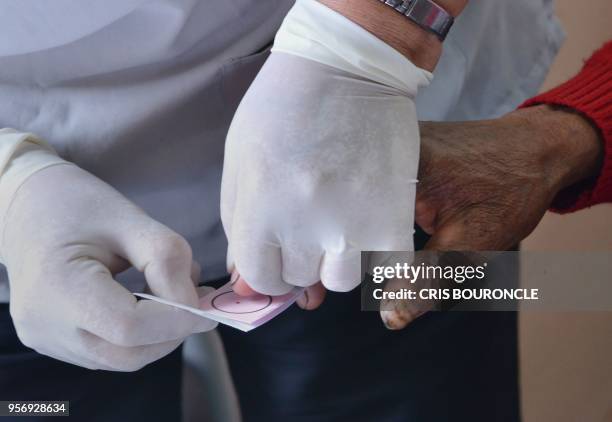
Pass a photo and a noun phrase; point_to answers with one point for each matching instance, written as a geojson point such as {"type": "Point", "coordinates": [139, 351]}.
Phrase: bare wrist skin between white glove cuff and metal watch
{"type": "Point", "coordinates": [420, 46]}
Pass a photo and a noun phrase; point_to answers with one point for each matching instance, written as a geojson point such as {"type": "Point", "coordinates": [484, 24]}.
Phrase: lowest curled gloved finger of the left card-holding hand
{"type": "Point", "coordinates": [123, 359]}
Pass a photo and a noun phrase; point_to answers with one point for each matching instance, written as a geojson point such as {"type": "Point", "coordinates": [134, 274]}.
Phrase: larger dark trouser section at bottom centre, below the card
{"type": "Point", "coordinates": [340, 364]}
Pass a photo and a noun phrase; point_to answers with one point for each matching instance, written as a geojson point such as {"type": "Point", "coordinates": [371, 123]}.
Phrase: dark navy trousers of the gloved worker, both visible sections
{"type": "Point", "coordinates": [334, 364]}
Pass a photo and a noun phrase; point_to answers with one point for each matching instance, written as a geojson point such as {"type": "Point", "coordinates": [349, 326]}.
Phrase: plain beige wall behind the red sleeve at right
{"type": "Point", "coordinates": [566, 359]}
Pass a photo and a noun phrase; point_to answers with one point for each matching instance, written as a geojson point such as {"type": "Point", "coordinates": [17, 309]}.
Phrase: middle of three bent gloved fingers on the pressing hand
{"type": "Point", "coordinates": [301, 266]}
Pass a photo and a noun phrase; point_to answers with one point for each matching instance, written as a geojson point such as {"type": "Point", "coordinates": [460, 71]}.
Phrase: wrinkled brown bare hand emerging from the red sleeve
{"type": "Point", "coordinates": [485, 185]}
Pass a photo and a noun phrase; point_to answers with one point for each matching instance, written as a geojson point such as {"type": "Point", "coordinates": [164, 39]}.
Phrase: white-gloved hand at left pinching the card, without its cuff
{"type": "Point", "coordinates": [64, 236]}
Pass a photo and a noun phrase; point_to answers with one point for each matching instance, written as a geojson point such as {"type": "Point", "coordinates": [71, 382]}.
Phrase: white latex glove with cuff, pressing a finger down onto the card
{"type": "Point", "coordinates": [322, 156]}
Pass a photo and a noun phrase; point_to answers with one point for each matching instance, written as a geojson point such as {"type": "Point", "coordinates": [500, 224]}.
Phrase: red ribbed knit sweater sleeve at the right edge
{"type": "Point", "coordinates": [590, 93]}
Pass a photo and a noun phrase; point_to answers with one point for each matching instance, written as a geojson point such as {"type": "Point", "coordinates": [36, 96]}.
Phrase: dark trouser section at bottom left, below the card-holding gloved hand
{"type": "Point", "coordinates": [151, 394]}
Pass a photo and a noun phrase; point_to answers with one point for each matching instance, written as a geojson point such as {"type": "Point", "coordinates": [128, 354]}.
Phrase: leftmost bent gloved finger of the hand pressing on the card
{"type": "Point", "coordinates": [259, 265]}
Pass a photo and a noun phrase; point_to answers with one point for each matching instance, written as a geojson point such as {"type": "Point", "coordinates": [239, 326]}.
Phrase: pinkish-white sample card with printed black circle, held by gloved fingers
{"type": "Point", "coordinates": [243, 313]}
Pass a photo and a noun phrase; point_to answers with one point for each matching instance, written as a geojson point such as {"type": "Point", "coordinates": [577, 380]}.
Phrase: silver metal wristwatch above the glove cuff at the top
{"type": "Point", "coordinates": [425, 13]}
